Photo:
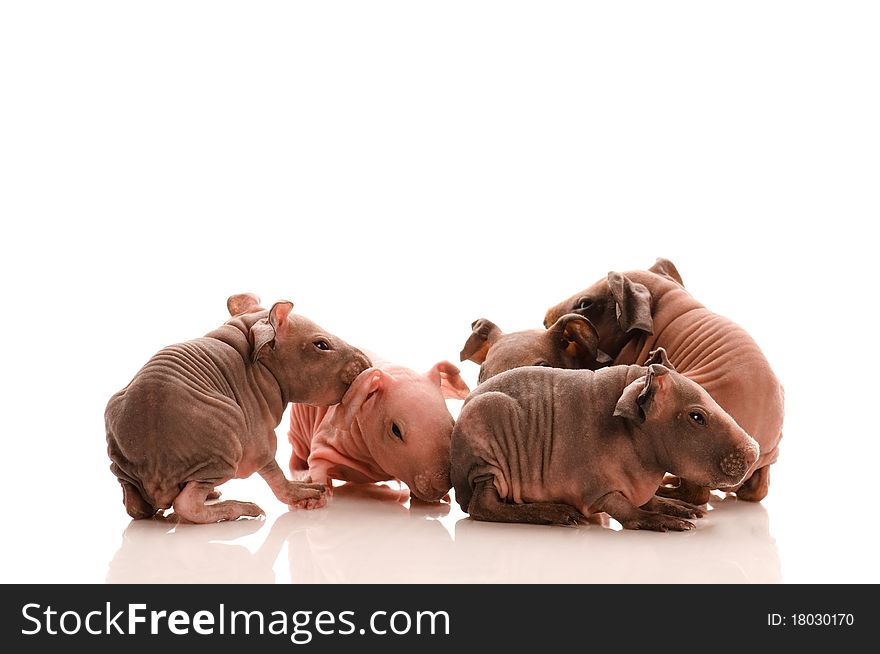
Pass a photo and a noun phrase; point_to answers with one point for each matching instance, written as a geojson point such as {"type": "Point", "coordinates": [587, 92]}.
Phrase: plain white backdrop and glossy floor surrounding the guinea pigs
{"type": "Point", "coordinates": [399, 169]}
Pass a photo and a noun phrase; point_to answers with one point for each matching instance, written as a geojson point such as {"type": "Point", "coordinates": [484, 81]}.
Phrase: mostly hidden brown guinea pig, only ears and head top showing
{"type": "Point", "coordinates": [571, 342]}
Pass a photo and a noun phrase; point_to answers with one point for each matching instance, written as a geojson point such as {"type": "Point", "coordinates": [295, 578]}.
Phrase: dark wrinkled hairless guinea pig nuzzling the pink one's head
{"type": "Point", "coordinates": [203, 412]}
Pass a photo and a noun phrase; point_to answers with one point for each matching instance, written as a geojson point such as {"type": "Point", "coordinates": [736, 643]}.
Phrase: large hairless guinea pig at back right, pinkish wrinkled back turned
{"type": "Point", "coordinates": [636, 312]}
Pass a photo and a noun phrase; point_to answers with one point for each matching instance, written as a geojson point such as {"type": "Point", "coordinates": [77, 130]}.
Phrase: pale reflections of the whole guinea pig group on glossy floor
{"type": "Point", "coordinates": [367, 535]}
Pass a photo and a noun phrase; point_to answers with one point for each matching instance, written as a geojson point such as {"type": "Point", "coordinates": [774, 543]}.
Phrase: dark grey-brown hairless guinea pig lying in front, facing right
{"type": "Point", "coordinates": [550, 446]}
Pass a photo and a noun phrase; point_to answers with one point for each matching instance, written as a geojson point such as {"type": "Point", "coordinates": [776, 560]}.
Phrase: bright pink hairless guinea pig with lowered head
{"type": "Point", "coordinates": [392, 424]}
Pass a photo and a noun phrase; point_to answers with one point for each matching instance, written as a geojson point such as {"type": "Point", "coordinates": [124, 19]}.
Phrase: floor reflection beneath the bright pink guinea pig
{"type": "Point", "coordinates": [368, 536]}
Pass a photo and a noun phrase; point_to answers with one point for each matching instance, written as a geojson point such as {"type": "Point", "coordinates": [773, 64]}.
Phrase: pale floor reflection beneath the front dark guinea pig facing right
{"type": "Point", "coordinates": [733, 545]}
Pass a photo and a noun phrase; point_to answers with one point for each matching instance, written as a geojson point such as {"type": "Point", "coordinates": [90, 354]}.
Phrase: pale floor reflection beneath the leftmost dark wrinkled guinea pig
{"type": "Point", "coordinates": [162, 551]}
